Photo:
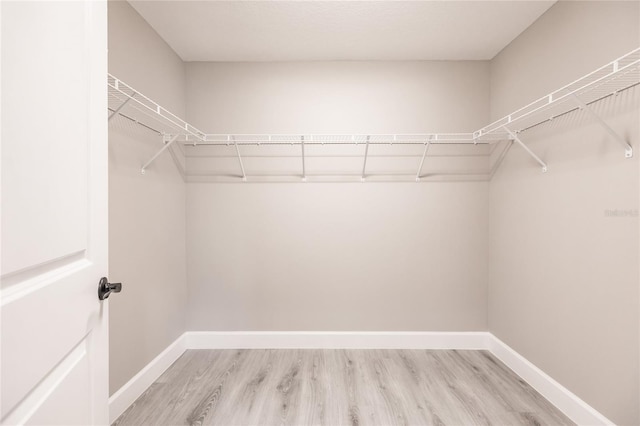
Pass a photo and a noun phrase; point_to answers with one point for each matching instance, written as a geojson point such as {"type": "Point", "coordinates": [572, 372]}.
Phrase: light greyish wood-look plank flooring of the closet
{"type": "Point", "coordinates": [340, 387]}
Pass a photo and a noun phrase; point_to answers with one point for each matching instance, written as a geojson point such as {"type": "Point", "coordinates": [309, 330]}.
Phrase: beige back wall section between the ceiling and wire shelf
{"type": "Point", "coordinates": [341, 97]}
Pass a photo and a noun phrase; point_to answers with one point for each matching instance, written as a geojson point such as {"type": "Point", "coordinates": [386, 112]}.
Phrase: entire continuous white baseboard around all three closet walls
{"type": "Point", "coordinates": [567, 402]}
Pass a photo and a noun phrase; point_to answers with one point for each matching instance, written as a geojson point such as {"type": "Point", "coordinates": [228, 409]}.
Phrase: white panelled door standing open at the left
{"type": "Point", "coordinates": [53, 336]}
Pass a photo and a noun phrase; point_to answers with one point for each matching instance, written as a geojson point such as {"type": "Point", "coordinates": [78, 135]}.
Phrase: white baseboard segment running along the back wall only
{"type": "Point", "coordinates": [335, 340]}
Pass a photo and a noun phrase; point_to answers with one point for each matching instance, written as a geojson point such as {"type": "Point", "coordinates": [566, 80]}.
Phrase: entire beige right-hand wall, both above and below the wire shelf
{"type": "Point", "coordinates": [564, 278]}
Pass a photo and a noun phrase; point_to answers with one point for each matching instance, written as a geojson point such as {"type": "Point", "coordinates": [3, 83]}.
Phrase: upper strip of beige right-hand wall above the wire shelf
{"type": "Point", "coordinates": [570, 40]}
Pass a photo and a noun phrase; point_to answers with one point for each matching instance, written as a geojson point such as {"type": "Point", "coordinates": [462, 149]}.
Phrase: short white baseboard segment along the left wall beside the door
{"type": "Point", "coordinates": [130, 391]}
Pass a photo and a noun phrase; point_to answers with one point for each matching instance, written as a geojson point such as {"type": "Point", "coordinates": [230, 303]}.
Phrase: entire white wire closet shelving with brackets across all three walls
{"type": "Point", "coordinates": [609, 80]}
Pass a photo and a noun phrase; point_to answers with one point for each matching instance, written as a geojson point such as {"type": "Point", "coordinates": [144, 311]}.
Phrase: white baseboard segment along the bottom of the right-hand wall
{"type": "Point", "coordinates": [565, 400]}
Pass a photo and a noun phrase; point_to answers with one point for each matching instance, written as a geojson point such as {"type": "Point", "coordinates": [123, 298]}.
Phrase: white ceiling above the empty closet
{"type": "Point", "coordinates": [338, 30]}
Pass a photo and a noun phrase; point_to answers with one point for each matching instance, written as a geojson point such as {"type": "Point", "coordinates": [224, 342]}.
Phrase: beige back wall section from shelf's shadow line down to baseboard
{"type": "Point", "coordinates": [337, 257]}
